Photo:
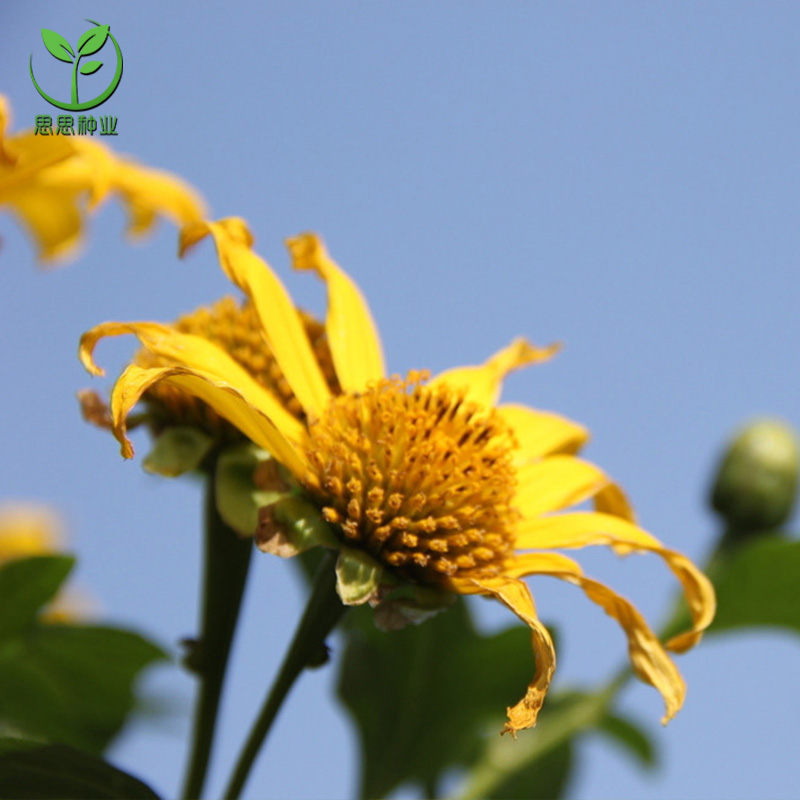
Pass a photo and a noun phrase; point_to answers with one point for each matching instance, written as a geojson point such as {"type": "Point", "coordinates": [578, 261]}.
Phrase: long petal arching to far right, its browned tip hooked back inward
{"type": "Point", "coordinates": [582, 529]}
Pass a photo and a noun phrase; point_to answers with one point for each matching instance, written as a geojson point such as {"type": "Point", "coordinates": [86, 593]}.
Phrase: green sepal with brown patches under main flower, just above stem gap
{"type": "Point", "coordinates": [291, 526]}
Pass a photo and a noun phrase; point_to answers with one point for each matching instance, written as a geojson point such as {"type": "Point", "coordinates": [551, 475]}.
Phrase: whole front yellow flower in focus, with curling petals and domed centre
{"type": "Point", "coordinates": [433, 479]}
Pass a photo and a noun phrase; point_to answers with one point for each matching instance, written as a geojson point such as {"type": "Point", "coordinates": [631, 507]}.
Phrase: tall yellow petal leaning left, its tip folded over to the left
{"type": "Point", "coordinates": [283, 326]}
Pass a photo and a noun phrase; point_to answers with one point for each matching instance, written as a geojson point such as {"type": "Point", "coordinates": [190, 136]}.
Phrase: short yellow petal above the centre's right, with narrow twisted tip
{"type": "Point", "coordinates": [482, 384]}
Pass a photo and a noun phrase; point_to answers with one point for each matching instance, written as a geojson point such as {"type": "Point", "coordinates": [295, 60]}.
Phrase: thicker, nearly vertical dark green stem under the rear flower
{"type": "Point", "coordinates": [227, 558]}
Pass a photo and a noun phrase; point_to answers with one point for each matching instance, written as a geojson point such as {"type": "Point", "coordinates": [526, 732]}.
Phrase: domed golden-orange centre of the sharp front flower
{"type": "Point", "coordinates": [418, 477]}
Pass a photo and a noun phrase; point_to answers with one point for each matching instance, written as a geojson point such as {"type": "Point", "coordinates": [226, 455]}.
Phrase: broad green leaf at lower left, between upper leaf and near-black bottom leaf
{"type": "Point", "coordinates": [72, 684]}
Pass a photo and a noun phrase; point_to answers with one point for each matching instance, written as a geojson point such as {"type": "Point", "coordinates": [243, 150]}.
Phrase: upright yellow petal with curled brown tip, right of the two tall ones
{"type": "Point", "coordinates": [352, 335]}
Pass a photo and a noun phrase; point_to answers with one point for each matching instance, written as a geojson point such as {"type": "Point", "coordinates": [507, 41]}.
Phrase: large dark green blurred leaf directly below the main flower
{"type": "Point", "coordinates": [422, 697]}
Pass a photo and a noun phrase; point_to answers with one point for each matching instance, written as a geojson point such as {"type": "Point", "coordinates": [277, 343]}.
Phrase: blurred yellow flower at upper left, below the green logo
{"type": "Point", "coordinates": [48, 181]}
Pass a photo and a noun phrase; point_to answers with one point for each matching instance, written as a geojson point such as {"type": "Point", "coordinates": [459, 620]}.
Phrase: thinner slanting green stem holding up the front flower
{"type": "Point", "coordinates": [323, 611]}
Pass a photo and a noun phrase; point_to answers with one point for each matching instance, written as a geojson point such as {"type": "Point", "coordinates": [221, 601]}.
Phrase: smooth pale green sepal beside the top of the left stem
{"type": "Point", "coordinates": [237, 496]}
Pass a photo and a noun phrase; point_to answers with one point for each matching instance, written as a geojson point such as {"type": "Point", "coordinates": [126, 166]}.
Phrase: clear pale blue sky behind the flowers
{"type": "Point", "coordinates": [622, 177]}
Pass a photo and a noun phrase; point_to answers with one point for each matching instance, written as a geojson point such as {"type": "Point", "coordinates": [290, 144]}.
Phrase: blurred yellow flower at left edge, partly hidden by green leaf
{"type": "Point", "coordinates": [28, 530]}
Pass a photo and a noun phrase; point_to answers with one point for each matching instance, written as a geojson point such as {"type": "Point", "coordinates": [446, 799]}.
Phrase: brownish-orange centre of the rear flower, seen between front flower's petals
{"type": "Point", "coordinates": [236, 329]}
